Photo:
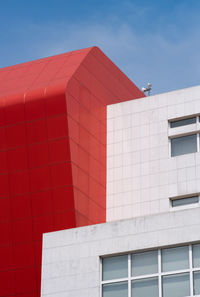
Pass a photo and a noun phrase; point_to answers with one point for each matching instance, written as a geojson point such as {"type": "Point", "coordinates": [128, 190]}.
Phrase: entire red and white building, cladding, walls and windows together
{"type": "Point", "coordinates": [113, 182]}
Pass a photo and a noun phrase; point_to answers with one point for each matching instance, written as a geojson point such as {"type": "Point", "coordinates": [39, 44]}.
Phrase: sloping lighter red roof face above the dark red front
{"type": "Point", "coordinates": [40, 73]}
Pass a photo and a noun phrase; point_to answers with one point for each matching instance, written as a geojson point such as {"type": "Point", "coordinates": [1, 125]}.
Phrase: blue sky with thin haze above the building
{"type": "Point", "coordinates": [155, 41]}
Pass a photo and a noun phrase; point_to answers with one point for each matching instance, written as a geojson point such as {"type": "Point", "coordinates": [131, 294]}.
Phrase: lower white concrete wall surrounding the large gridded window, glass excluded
{"type": "Point", "coordinates": [71, 258]}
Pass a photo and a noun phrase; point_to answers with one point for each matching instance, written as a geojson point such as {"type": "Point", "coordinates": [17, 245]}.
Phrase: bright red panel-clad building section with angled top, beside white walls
{"type": "Point", "coordinates": [52, 155]}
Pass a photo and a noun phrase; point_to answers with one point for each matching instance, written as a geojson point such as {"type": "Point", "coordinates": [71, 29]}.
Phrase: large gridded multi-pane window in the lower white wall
{"type": "Point", "coordinates": [167, 272]}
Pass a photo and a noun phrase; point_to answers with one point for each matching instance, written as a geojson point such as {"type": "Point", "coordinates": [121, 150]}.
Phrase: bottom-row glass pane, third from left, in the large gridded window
{"type": "Point", "coordinates": [177, 285]}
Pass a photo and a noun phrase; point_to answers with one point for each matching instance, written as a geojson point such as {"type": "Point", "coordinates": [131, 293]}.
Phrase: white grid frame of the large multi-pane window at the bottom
{"type": "Point", "coordinates": [159, 274]}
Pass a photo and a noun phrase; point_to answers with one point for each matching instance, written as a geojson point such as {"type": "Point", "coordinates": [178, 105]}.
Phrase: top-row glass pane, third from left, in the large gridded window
{"type": "Point", "coordinates": [175, 258]}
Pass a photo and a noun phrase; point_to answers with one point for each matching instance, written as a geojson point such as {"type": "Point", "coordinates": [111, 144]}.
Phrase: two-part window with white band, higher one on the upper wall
{"type": "Point", "coordinates": [184, 136]}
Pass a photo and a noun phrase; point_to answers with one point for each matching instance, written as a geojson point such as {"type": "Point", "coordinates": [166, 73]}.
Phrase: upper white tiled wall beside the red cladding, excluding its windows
{"type": "Point", "coordinates": [141, 175]}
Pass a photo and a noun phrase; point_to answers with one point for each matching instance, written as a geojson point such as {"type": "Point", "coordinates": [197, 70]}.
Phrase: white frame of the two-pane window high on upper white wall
{"type": "Point", "coordinates": [185, 130]}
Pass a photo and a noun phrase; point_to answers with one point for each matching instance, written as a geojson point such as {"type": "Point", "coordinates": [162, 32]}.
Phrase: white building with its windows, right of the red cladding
{"type": "Point", "coordinates": [150, 244]}
